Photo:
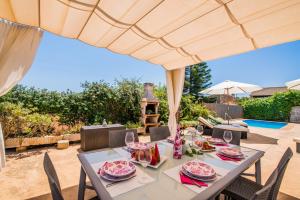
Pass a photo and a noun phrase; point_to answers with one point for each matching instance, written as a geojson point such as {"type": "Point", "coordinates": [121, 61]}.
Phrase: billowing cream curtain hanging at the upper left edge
{"type": "Point", "coordinates": [18, 46]}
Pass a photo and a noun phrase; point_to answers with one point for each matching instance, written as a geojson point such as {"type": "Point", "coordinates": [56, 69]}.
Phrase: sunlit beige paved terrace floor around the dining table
{"type": "Point", "coordinates": [24, 177]}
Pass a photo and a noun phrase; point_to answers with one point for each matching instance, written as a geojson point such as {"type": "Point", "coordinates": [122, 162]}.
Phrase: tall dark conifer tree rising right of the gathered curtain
{"type": "Point", "coordinates": [197, 78]}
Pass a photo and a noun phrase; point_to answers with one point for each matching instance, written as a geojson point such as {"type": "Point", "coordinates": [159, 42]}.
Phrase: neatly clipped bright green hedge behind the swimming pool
{"type": "Point", "coordinates": [274, 108]}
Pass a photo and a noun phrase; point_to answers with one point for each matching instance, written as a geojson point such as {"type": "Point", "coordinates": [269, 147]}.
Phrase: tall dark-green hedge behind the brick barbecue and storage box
{"type": "Point", "coordinates": [117, 103]}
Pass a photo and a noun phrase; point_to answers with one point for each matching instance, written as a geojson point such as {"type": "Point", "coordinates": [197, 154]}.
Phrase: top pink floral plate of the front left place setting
{"type": "Point", "coordinates": [118, 168]}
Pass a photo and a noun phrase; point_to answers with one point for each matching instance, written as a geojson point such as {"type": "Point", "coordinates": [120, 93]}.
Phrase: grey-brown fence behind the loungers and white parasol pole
{"type": "Point", "coordinates": [235, 111]}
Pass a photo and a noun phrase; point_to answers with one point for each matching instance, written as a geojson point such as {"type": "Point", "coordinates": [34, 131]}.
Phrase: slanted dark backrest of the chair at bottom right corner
{"type": "Point", "coordinates": [281, 167]}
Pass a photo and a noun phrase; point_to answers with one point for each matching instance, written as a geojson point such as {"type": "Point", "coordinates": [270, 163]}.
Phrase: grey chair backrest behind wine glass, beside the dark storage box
{"type": "Point", "coordinates": [116, 138]}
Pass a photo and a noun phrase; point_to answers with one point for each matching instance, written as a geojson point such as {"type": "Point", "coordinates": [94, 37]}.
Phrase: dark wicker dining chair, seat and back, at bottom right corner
{"type": "Point", "coordinates": [243, 187]}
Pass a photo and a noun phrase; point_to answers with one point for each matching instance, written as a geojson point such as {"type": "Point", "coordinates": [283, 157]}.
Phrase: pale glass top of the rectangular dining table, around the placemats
{"type": "Point", "coordinates": [165, 187]}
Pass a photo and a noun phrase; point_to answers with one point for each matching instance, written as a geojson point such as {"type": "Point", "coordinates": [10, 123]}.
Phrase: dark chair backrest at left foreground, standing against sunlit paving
{"type": "Point", "coordinates": [52, 178]}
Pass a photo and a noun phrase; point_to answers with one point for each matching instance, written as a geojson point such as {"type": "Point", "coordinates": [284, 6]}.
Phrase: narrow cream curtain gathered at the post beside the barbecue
{"type": "Point", "coordinates": [175, 81]}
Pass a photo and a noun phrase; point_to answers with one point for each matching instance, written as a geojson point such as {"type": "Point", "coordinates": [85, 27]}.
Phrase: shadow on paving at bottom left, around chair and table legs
{"type": "Point", "coordinates": [68, 193]}
